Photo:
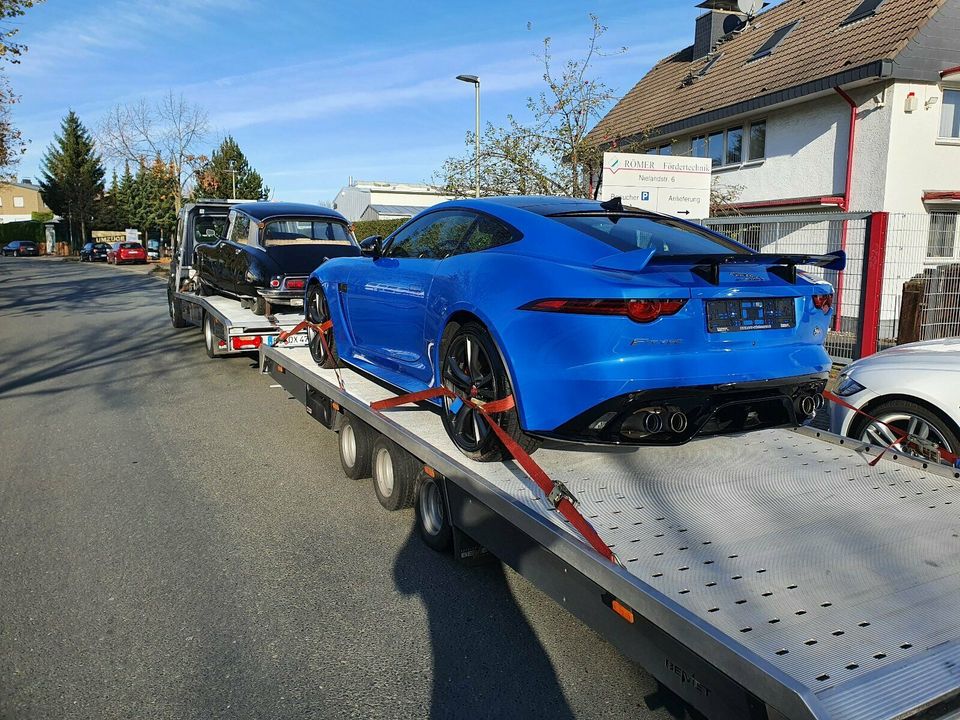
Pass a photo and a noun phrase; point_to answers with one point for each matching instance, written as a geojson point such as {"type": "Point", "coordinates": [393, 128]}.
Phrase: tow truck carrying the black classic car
{"type": "Point", "coordinates": [228, 327]}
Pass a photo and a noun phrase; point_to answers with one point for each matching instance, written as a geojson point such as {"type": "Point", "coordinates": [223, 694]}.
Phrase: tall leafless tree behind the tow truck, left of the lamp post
{"type": "Point", "coordinates": [170, 129]}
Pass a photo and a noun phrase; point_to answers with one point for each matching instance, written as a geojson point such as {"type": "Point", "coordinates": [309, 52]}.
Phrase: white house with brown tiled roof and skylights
{"type": "Point", "coordinates": [774, 100]}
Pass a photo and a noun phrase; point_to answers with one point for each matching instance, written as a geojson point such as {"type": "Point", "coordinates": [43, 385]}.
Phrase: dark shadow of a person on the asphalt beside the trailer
{"type": "Point", "coordinates": [487, 661]}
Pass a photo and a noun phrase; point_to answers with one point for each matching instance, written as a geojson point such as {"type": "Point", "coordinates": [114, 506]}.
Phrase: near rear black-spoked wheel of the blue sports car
{"type": "Point", "coordinates": [471, 367]}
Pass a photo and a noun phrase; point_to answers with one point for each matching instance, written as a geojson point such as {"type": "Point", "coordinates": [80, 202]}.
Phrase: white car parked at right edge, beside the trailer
{"type": "Point", "coordinates": [914, 388]}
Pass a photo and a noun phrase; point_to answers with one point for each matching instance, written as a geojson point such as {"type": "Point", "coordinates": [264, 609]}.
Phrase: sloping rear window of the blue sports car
{"type": "Point", "coordinates": [639, 232]}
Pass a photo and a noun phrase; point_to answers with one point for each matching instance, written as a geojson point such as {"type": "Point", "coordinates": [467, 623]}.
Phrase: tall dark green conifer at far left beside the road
{"type": "Point", "coordinates": [72, 177]}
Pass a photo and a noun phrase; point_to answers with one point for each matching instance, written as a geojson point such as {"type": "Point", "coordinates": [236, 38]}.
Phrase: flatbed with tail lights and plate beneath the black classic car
{"type": "Point", "coordinates": [234, 329]}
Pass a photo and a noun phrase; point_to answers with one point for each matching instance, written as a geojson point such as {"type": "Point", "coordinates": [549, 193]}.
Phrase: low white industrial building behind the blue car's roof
{"type": "Point", "coordinates": [374, 200]}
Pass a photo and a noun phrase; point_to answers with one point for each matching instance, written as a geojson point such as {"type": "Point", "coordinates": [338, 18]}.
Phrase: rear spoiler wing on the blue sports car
{"type": "Point", "coordinates": [708, 266]}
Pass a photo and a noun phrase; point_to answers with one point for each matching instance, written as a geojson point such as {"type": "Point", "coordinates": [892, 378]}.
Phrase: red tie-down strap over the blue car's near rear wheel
{"type": "Point", "coordinates": [556, 492]}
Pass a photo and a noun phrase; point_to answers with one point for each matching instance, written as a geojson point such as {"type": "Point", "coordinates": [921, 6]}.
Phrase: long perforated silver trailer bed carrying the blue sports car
{"type": "Point", "coordinates": [771, 575]}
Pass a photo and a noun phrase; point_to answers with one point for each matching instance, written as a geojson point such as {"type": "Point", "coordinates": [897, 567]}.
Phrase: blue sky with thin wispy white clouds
{"type": "Point", "coordinates": [318, 91]}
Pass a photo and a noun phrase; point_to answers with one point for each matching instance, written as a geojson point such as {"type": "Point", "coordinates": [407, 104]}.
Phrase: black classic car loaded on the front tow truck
{"type": "Point", "coordinates": [268, 252]}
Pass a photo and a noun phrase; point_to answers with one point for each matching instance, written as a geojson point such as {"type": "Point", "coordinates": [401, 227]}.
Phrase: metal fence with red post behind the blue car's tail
{"type": "Point", "coordinates": [917, 283]}
